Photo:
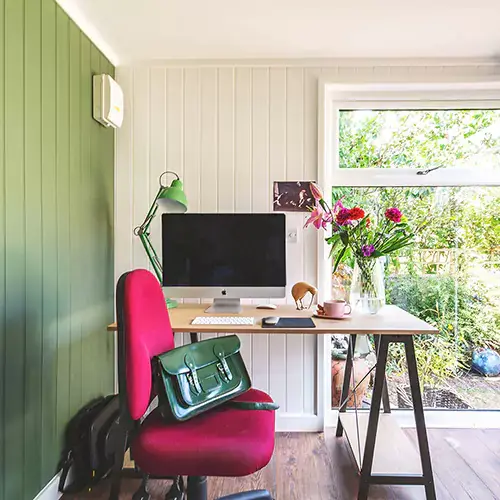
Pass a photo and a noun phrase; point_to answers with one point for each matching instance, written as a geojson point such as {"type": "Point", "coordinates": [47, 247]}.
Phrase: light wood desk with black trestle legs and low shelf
{"type": "Point", "coordinates": [394, 460]}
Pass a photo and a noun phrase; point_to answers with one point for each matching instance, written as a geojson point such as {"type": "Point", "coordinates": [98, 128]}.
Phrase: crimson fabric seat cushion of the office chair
{"type": "Point", "coordinates": [221, 442]}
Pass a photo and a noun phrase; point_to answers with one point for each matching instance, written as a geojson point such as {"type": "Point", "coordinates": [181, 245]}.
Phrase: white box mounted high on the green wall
{"type": "Point", "coordinates": [108, 101]}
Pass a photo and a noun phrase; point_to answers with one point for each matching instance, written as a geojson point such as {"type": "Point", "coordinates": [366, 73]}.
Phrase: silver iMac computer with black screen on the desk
{"type": "Point", "coordinates": [226, 257]}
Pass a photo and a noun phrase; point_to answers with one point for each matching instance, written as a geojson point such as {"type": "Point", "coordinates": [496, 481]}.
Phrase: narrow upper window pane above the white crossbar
{"type": "Point", "coordinates": [419, 138]}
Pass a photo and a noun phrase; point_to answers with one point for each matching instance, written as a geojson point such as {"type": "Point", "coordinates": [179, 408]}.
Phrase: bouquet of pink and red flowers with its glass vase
{"type": "Point", "coordinates": [366, 239]}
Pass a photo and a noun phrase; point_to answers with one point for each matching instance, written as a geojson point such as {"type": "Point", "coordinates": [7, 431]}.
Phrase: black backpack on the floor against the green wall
{"type": "Point", "coordinates": [88, 439]}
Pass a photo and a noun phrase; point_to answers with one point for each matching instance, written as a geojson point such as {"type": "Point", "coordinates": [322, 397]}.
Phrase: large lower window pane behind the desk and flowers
{"type": "Point", "coordinates": [450, 278]}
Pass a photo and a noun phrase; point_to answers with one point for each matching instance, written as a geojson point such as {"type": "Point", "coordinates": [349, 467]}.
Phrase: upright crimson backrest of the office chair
{"type": "Point", "coordinates": [143, 332]}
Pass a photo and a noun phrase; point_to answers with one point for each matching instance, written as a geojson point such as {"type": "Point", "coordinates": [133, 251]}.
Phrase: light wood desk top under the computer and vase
{"type": "Point", "coordinates": [390, 320]}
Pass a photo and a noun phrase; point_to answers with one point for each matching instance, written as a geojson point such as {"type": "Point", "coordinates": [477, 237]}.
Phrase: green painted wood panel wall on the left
{"type": "Point", "coordinates": [56, 239]}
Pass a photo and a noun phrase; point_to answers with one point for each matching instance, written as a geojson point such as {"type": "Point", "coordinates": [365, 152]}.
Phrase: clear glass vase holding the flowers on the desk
{"type": "Point", "coordinates": [367, 288]}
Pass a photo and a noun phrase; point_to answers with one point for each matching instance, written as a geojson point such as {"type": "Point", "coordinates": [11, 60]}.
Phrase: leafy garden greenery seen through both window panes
{"type": "Point", "coordinates": [451, 276]}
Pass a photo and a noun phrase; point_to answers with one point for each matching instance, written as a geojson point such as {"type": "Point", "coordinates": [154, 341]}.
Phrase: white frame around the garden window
{"type": "Point", "coordinates": [334, 97]}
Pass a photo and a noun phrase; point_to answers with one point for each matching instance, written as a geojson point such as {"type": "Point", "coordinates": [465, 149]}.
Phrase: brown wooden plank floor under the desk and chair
{"type": "Point", "coordinates": [320, 467]}
